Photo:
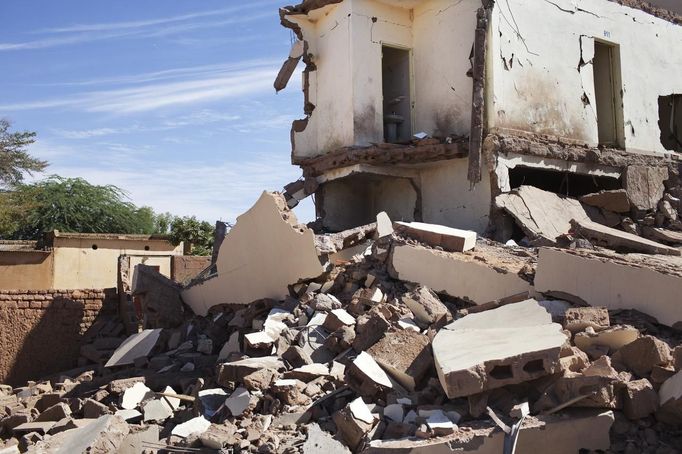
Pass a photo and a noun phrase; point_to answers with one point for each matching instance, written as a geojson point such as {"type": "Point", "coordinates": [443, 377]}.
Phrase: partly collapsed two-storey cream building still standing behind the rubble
{"type": "Point", "coordinates": [429, 110]}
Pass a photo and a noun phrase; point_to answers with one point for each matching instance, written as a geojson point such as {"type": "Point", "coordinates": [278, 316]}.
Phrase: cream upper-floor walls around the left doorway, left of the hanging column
{"type": "Point", "coordinates": [346, 41]}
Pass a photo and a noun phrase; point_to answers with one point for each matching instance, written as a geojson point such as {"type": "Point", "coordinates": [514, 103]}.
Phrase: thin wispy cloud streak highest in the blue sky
{"type": "Point", "coordinates": [149, 28]}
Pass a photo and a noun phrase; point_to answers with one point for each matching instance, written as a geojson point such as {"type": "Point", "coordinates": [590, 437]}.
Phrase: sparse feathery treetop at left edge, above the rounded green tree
{"type": "Point", "coordinates": [14, 159]}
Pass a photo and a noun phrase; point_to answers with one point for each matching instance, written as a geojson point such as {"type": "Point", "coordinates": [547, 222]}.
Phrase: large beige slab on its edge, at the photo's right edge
{"type": "Point", "coordinates": [649, 284]}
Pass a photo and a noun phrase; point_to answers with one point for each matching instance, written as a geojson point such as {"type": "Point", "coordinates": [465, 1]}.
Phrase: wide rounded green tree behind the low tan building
{"type": "Point", "coordinates": [70, 205]}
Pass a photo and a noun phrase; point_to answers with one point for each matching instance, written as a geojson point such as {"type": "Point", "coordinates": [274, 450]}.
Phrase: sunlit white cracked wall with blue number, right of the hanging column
{"type": "Point", "coordinates": [540, 89]}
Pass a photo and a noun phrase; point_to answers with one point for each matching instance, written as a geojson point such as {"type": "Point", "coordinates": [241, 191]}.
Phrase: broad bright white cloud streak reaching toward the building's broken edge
{"type": "Point", "coordinates": [149, 97]}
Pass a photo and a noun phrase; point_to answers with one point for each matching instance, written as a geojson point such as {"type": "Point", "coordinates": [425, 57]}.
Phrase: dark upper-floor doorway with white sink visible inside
{"type": "Point", "coordinates": [396, 87]}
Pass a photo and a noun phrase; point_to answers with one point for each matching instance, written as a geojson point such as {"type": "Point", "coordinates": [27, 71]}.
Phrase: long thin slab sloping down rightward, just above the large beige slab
{"type": "Point", "coordinates": [618, 240]}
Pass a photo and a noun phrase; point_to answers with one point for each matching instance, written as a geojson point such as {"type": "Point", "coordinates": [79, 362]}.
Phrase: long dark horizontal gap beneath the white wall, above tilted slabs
{"type": "Point", "coordinates": [564, 183]}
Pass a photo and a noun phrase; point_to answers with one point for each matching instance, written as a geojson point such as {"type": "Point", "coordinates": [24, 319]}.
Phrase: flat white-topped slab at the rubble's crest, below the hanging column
{"type": "Point", "coordinates": [449, 239]}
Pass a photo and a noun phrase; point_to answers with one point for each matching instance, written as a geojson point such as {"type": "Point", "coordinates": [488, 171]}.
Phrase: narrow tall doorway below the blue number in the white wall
{"type": "Point", "coordinates": [608, 94]}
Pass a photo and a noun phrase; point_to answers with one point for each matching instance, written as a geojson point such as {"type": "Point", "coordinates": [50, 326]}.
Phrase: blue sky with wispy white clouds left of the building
{"type": "Point", "coordinates": [170, 100]}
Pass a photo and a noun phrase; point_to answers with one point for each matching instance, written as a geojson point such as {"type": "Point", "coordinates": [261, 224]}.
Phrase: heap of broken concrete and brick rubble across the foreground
{"type": "Point", "coordinates": [368, 357]}
